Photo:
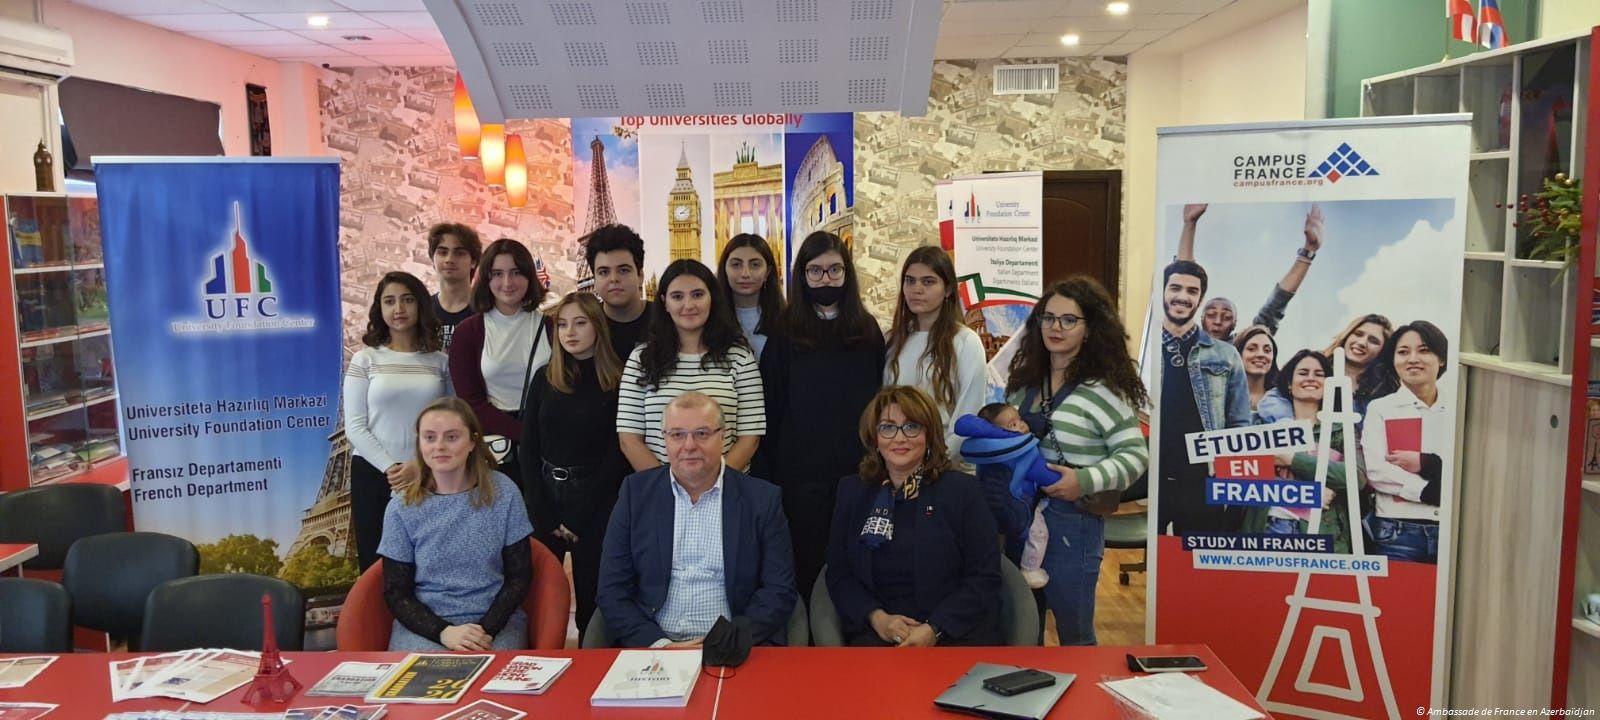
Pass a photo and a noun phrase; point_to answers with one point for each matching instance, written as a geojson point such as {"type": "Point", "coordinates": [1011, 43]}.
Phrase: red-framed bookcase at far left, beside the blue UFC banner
{"type": "Point", "coordinates": [58, 388]}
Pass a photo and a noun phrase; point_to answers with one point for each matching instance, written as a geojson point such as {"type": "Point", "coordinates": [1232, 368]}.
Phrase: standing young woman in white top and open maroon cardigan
{"type": "Point", "coordinates": [495, 353]}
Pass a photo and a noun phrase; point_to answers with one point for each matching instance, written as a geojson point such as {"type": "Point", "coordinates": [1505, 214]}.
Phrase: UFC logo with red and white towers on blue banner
{"type": "Point", "coordinates": [238, 292]}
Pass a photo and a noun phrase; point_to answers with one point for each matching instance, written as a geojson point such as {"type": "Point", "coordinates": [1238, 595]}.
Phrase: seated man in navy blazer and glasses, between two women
{"type": "Point", "coordinates": [694, 542]}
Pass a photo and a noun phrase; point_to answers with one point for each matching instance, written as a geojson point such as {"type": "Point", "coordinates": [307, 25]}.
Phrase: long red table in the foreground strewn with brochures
{"type": "Point", "coordinates": [833, 684]}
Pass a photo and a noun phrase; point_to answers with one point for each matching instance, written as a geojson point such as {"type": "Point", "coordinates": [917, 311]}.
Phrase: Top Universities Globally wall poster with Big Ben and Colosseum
{"type": "Point", "coordinates": [690, 183]}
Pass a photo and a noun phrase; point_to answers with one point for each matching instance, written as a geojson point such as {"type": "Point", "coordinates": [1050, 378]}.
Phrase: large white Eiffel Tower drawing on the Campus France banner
{"type": "Point", "coordinates": [1335, 386]}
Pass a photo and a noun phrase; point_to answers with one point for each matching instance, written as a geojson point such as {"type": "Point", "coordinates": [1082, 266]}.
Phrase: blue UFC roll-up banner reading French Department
{"type": "Point", "coordinates": [225, 289]}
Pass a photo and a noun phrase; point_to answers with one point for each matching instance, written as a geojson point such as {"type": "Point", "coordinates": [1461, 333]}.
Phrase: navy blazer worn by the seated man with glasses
{"type": "Point", "coordinates": [636, 564]}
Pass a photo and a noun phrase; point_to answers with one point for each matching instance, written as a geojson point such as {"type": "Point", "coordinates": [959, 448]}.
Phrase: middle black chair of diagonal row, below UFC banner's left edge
{"type": "Point", "coordinates": [111, 575]}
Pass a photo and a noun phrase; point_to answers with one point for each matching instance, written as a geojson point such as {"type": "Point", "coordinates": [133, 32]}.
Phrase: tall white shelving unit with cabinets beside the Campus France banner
{"type": "Point", "coordinates": [1527, 519]}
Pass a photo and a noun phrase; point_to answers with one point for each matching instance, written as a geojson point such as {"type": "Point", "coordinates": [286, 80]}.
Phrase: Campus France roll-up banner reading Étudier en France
{"type": "Point", "coordinates": [1303, 367]}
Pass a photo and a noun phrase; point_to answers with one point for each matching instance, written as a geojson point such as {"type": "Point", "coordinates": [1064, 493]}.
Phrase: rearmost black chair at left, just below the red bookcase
{"type": "Point", "coordinates": [57, 516]}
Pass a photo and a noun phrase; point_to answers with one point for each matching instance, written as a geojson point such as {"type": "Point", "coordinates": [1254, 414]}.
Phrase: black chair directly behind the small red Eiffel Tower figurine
{"type": "Point", "coordinates": [222, 612]}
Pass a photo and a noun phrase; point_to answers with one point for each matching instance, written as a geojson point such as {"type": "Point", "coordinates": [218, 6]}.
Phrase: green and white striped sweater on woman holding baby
{"type": "Point", "coordinates": [1098, 434]}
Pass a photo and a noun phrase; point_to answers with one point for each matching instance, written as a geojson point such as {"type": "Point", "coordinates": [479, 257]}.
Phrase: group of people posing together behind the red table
{"type": "Point", "coordinates": [705, 454]}
